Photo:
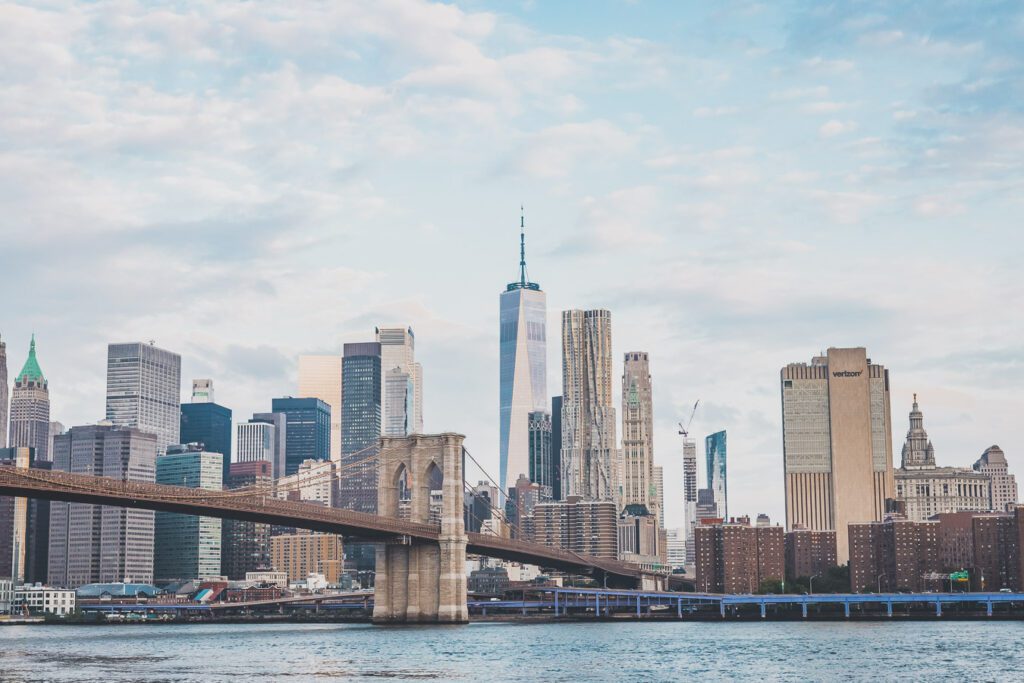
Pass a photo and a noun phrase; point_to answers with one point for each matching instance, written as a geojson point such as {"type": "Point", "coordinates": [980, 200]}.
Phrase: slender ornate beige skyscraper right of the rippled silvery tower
{"type": "Point", "coordinates": [638, 483]}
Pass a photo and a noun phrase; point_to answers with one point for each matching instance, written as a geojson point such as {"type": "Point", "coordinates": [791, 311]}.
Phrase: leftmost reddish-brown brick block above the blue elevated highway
{"type": "Point", "coordinates": [736, 558]}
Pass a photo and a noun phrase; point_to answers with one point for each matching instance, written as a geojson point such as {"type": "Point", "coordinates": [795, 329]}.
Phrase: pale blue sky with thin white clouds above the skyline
{"type": "Point", "coordinates": [743, 186]}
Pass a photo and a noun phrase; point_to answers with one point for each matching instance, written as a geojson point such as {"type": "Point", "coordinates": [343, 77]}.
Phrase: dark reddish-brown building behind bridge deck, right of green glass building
{"type": "Point", "coordinates": [245, 546]}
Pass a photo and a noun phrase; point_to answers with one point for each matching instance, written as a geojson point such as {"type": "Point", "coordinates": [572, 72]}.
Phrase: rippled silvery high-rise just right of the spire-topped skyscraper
{"type": "Point", "coordinates": [589, 446]}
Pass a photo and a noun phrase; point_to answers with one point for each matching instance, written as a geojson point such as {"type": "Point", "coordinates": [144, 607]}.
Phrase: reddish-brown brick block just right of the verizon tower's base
{"type": "Point", "coordinates": [893, 556]}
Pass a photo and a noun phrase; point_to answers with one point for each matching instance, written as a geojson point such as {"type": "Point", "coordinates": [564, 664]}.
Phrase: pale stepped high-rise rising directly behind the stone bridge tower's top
{"type": "Point", "coordinates": [399, 353]}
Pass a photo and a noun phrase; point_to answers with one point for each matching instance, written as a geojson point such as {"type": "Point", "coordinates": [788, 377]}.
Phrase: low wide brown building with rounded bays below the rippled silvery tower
{"type": "Point", "coordinates": [578, 526]}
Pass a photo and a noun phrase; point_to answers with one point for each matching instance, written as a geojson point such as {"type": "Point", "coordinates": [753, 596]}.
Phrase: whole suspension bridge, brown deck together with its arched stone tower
{"type": "Point", "coordinates": [421, 564]}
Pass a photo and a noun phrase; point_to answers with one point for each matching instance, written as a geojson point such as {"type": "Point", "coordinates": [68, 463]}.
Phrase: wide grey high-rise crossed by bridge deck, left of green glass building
{"type": "Point", "coordinates": [92, 544]}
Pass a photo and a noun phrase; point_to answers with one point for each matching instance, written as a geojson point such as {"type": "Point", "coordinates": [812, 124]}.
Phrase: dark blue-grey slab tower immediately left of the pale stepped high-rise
{"type": "Point", "coordinates": [361, 426]}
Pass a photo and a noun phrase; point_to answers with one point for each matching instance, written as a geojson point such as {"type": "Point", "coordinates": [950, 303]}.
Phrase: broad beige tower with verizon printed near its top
{"type": "Point", "coordinates": [837, 440]}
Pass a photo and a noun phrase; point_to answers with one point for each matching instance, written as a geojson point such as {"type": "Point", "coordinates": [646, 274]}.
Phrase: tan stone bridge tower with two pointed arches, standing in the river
{"type": "Point", "coordinates": [420, 581]}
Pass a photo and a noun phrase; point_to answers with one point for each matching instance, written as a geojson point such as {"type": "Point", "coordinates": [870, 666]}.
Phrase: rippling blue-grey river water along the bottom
{"type": "Point", "coordinates": [508, 652]}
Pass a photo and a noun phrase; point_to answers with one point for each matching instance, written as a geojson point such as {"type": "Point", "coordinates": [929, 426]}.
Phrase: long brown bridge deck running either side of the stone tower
{"type": "Point", "coordinates": [259, 506]}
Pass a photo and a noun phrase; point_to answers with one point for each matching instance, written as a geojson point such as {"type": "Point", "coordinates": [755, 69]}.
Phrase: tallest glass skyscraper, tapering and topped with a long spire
{"type": "Point", "coordinates": [524, 372]}
